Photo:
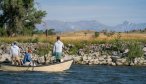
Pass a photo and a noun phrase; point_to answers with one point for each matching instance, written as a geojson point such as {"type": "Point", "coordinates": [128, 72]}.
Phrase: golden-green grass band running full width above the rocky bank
{"type": "Point", "coordinates": [78, 38]}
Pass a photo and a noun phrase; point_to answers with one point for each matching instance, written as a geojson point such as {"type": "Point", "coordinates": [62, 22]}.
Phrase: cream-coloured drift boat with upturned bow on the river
{"type": "Point", "coordinates": [56, 67]}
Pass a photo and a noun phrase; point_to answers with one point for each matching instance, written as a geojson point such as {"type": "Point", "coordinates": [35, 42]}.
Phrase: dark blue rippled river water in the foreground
{"type": "Point", "coordinates": [79, 74]}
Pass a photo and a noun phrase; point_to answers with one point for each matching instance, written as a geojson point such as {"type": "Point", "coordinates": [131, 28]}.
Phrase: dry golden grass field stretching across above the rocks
{"type": "Point", "coordinates": [75, 37]}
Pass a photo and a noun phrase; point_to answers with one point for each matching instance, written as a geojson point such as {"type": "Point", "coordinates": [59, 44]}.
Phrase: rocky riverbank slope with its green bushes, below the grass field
{"type": "Point", "coordinates": [100, 54]}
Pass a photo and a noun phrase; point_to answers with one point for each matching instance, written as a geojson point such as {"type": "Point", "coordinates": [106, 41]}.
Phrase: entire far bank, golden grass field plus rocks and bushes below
{"type": "Point", "coordinates": [116, 49]}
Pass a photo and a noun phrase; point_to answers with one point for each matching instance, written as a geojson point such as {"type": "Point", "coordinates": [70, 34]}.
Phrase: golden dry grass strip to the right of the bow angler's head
{"type": "Point", "coordinates": [90, 36]}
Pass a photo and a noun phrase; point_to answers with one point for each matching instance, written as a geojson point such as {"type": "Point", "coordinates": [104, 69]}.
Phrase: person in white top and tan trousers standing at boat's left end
{"type": "Point", "coordinates": [15, 52]}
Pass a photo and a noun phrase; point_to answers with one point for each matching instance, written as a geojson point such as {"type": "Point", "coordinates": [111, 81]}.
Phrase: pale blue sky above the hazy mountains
{"type": "Point", "coordinates": [109, 12]}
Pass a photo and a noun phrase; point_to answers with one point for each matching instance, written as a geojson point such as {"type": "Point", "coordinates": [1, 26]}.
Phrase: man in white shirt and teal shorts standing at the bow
{"type": "Point", "coordinates": [57, 49]}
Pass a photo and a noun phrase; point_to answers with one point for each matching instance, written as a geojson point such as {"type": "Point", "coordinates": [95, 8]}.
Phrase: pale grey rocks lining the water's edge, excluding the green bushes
{"type": "Point", "coordinates": [94, 55]}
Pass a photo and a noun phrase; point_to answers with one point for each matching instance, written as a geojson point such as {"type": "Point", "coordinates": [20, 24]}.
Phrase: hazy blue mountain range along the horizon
{"type": "Point", "coordinates": [61, 26]}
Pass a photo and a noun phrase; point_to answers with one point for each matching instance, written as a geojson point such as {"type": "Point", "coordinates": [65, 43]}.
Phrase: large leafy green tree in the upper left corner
{"type": "Point", "coordinates": [19, 16]}
